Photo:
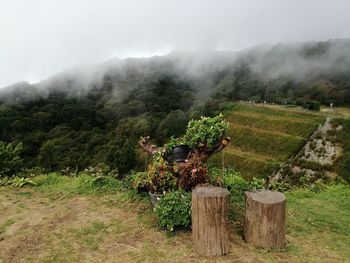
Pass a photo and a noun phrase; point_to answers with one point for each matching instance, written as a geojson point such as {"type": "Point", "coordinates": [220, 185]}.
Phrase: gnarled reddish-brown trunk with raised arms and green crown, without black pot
{"type": "Point", "coordinates": [204, 137]}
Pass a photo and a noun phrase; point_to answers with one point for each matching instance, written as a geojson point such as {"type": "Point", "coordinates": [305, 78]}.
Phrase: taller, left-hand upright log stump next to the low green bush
{"type": "Point", "coordinates": [210, 230]}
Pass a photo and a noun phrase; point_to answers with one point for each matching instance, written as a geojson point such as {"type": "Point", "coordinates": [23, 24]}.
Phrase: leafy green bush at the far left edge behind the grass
{"type": "Point", "coordinates": [10, 159]}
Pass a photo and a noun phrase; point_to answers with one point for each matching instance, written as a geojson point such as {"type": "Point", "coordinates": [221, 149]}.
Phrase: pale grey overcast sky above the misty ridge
{"type": "Point", "coordinates": [39, 38]}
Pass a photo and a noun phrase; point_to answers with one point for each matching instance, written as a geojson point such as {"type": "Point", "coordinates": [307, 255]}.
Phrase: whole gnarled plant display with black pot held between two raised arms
{"type": "Point", "coordinates": [169, 170]}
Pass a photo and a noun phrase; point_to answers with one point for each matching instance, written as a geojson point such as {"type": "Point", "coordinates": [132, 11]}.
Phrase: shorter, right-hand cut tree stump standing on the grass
{"type": "Point", "coordinates": [265, 217]}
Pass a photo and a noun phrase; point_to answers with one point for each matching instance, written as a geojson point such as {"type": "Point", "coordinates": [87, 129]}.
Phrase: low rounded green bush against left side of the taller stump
{"type": "Point", "coordinates": [174, 210]}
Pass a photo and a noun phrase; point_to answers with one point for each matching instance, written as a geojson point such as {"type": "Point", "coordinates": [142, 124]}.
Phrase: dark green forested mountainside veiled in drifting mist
{"type": "Point", "coordinates": [81, 117]}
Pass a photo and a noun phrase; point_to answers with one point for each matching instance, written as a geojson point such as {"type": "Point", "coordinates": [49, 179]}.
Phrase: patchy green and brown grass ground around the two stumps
{"type": "Point", "coordinates": [70, 219]}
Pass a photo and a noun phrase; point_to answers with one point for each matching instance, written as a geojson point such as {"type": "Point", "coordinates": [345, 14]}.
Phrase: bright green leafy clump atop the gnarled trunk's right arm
{"type": "Point", "coordinates": [206, 131]}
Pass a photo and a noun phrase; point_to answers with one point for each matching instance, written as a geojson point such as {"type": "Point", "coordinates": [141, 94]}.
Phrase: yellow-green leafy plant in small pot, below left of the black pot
{"type": "Point", "coordinates": [161, 178]}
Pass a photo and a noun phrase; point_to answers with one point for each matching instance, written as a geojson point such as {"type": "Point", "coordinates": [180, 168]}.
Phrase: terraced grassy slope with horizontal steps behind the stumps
{"type": "Point", "coordinates": [263, 137]}
